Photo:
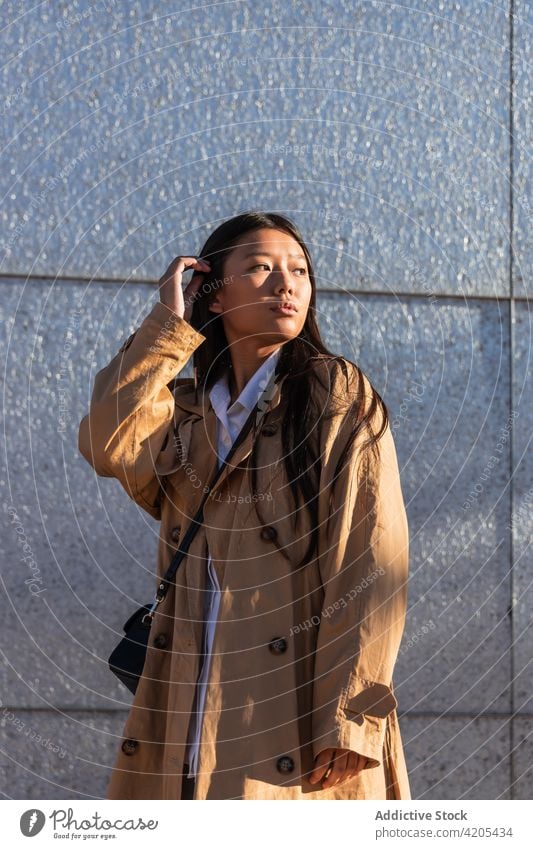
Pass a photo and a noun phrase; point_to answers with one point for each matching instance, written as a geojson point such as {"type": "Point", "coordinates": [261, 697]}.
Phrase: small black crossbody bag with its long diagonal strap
{"type": "Point", "coordinates": [127, 659]}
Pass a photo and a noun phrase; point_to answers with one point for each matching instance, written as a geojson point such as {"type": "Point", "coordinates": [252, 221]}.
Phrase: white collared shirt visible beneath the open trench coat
{"type": "Point", "coordinates": [229, 423]}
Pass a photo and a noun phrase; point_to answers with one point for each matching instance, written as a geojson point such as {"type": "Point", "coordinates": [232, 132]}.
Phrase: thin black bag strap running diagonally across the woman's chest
{"type": "Point", "coordinates": [253, 420]}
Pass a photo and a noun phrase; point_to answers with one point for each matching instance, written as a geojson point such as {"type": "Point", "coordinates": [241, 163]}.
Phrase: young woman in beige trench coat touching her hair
{"type": "Point", "coordinates": [269, 667]}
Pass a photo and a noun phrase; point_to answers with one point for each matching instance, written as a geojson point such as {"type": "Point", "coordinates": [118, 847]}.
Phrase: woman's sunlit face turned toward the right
{"type": "Point", "coordinates": [266, 267]}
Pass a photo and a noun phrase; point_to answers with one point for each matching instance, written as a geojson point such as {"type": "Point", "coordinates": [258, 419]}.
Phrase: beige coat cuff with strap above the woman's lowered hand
{"type": "Point", "coordinates": [360, 722]}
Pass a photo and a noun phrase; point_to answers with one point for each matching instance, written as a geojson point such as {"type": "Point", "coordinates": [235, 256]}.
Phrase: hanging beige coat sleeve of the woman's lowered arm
{"type": "Point", "coordinates": [363, 562]}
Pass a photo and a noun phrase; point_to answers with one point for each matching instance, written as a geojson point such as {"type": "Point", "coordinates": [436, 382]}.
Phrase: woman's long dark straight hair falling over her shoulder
{"type": "Point", "coordinates": [298, 361]}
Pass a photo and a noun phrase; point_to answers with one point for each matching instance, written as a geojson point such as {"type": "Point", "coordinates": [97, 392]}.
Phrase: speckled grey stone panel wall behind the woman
{"type": "Point", "coordinates": [398, 137]}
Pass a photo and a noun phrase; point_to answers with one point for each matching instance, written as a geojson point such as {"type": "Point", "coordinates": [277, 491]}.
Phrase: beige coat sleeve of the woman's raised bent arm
{"type": "Point", "coordinates": [132, 409]}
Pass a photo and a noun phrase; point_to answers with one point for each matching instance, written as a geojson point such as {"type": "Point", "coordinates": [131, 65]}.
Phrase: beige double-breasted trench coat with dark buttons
{"type": "Point", "coordinates": [272, 704]}
